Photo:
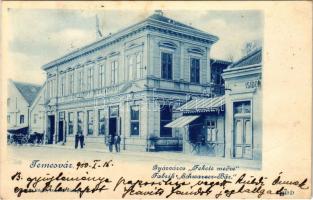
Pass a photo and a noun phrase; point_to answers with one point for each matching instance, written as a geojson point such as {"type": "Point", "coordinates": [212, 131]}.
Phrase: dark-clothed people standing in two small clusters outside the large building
{"type": "Point", "coordinates": [112, 141]}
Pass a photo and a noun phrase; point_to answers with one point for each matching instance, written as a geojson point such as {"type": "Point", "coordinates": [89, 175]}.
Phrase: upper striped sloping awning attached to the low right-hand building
{"type": "Point", "coordinates": [203, 105]}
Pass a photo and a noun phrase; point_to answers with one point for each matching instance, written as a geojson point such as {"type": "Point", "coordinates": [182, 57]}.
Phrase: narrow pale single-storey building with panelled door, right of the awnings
{"type": "Point", "coordinates": [243, 99]}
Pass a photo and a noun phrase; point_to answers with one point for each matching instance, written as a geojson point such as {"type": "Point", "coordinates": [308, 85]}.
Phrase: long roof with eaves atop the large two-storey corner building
{"type": "Point", "coordinates": [148, 22]}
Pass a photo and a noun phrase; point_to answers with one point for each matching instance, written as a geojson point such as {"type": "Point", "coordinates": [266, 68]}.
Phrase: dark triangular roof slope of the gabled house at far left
{"type": "Point", "coordinates": [28, 90]}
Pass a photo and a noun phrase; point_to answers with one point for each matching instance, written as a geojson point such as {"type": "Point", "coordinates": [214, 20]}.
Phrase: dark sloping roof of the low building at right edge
{"type": "Point", "coordinates": [252, 58]}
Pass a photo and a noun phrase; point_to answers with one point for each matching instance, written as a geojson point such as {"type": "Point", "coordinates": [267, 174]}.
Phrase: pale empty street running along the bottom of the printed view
{"type": "Point", "coordinates": [17, 153]}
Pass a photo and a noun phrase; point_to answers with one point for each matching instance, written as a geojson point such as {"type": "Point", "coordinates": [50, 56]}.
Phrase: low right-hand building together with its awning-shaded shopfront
{"type": "Point", "coordinates": [227, 125]}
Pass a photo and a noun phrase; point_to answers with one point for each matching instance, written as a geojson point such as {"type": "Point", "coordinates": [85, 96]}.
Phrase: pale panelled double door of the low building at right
{"type": "Point", "coordinates": [243, 138]}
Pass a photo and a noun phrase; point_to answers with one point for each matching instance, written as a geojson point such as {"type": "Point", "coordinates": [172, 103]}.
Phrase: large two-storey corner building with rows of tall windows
{"type": "Point", "coordinates": [127, 84]}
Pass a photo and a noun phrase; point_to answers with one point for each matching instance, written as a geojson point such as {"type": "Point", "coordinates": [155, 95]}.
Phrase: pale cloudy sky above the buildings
{"type": "Point", "coordinates": [37, 37]}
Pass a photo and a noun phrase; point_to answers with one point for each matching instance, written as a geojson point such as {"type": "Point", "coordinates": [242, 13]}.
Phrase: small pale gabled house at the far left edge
{"type": "Point", "coordinates": [20, 98]}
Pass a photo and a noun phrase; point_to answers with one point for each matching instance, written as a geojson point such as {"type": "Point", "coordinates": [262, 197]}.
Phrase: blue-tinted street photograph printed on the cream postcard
{"type": "Point", "coordinates": [133, 81]}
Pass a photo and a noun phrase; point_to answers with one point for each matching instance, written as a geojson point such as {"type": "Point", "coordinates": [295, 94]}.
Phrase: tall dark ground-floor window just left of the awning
{"type": "Point", "coordinates": [165, 118]}
